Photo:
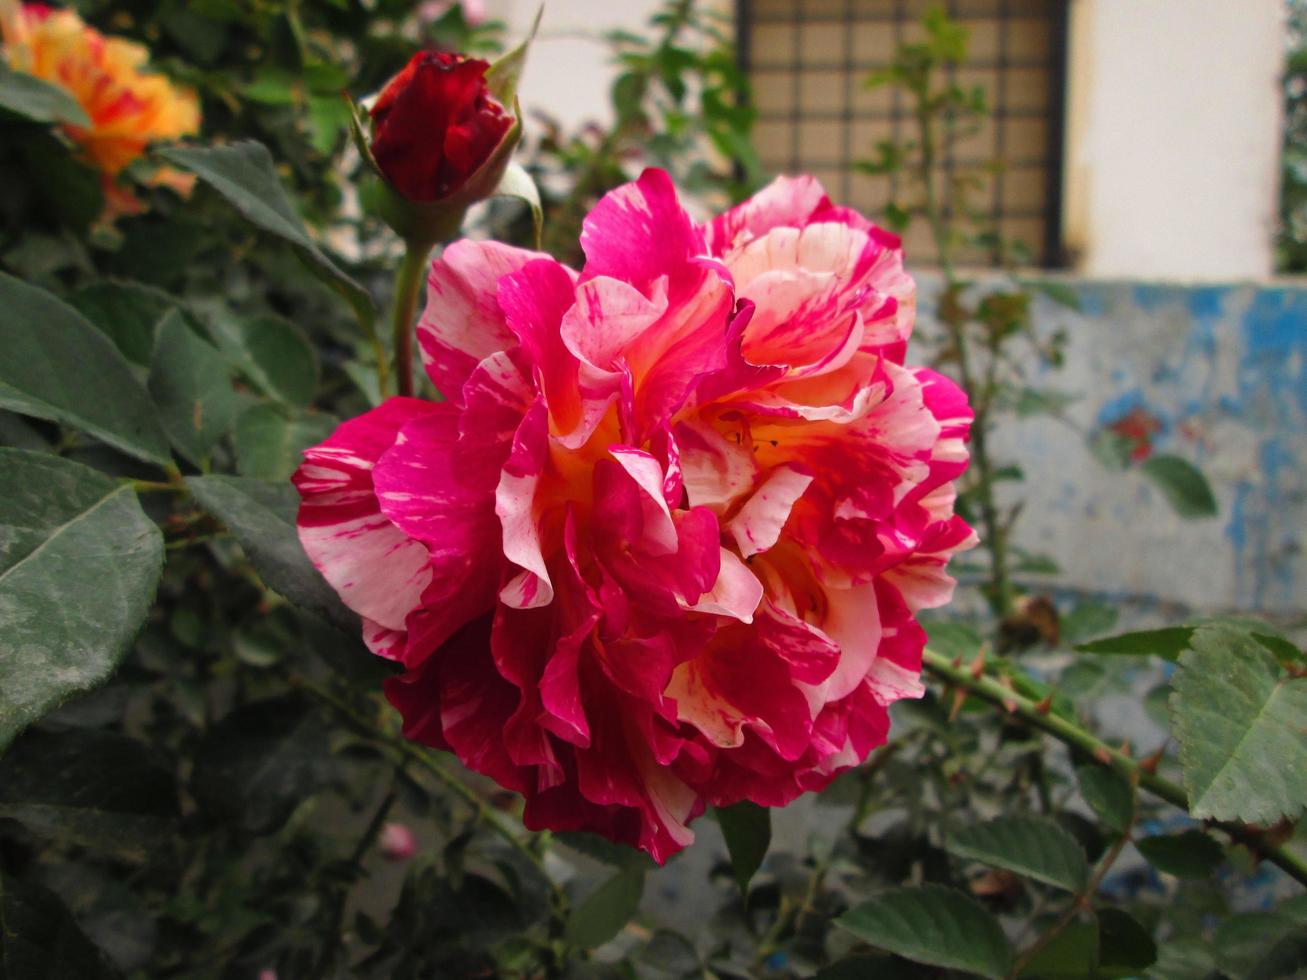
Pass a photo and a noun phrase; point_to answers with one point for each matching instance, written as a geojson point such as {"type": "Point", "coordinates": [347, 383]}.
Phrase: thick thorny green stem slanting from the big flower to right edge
{"type": "Point", "coordinates": [1068, 732]}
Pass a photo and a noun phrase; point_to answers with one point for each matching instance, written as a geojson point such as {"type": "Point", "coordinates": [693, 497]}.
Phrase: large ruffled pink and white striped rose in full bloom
{"type": "Point", "coordinates": [665, 543]}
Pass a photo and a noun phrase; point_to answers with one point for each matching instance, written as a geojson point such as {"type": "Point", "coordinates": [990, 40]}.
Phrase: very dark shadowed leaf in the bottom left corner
{"type": "Point", "coordinates": [40, 938]}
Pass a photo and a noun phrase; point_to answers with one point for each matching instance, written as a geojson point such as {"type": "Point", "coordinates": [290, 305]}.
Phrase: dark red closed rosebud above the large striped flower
{"type": "Point", "coordinates": [436, 126]}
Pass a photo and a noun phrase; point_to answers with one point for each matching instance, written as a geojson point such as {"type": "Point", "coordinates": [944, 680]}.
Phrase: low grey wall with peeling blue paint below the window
{"type": "Point", "coordinates": [1214, 374]}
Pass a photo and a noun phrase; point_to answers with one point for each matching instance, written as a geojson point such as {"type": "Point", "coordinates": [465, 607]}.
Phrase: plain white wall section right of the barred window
{"type": "Point", "coordinates": [1173, 154]}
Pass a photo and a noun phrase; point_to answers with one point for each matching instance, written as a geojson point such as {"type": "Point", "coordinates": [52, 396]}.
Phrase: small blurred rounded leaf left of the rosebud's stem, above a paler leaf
{"type": "Point", "coordinates": [273, 355]}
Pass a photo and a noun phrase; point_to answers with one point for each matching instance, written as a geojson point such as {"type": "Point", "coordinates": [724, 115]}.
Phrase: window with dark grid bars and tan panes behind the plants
{"type": "Point", "coordinates": [807, 62]}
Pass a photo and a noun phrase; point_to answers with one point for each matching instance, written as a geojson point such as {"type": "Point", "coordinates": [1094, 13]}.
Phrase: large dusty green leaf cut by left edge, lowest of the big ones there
{"type": "Point", "coordinates": [79, 566]}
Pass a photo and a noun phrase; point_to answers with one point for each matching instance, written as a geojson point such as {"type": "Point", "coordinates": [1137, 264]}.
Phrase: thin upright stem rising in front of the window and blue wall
{"type": "Point", "coordinates": [995, 536]}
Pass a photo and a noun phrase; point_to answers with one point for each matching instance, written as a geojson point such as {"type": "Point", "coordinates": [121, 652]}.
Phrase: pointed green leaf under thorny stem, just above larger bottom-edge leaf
{"type": "Point", "coordinates": [1031, 846]}
